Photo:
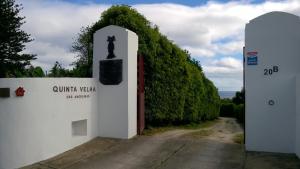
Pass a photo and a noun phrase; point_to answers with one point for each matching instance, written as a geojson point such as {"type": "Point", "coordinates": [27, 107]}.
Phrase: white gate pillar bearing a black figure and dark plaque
{"type": "Point", "coordinates": [117, 103]}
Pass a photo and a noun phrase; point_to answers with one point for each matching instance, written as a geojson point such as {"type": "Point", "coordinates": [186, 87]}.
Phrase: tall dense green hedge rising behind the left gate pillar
{"type": "Point", "coordinates": [176, 90]}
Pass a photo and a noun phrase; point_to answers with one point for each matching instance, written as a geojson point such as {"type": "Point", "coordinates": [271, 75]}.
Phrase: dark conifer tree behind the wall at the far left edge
{"type": "Point", "coordinates": [12, 41]}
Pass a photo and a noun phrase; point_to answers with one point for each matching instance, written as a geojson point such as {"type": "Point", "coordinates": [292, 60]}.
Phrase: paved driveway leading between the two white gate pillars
{"type": "Point", "coordinates": [209, 148]}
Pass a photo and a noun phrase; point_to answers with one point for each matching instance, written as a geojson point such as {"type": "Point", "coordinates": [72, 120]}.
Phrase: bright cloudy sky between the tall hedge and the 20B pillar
{"type": "Point", "coordinates": [213, 31]}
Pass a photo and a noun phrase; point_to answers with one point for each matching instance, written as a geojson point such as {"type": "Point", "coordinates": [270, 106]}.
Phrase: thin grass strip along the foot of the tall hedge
{"type": "Point", "coordinates": [193, 126]}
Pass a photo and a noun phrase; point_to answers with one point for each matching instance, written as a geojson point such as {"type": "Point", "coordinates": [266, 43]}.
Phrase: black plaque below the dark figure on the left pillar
{"type": "Point", "coordinates": [111, 72]}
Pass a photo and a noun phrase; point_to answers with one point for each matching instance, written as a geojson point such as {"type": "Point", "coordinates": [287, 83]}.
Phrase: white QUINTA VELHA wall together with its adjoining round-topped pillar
{"type": "Point", "coordinates": [45, 123]}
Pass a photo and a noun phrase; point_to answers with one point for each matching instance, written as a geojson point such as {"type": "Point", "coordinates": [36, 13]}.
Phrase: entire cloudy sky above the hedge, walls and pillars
{"type": "Point", "coordinates": [212, 31]}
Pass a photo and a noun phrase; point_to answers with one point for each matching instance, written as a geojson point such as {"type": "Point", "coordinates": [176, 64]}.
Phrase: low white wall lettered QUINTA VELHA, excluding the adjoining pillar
{"type": "Point", "coordinates": [39, 125]}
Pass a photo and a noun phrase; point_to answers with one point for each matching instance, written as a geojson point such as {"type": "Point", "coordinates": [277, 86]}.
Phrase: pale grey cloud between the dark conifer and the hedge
{"type": "Point", "coordinates": [53, 25]}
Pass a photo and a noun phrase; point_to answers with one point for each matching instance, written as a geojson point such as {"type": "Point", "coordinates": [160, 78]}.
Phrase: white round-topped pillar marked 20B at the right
{"type": "Point", "coordinates": [276, 38]}
